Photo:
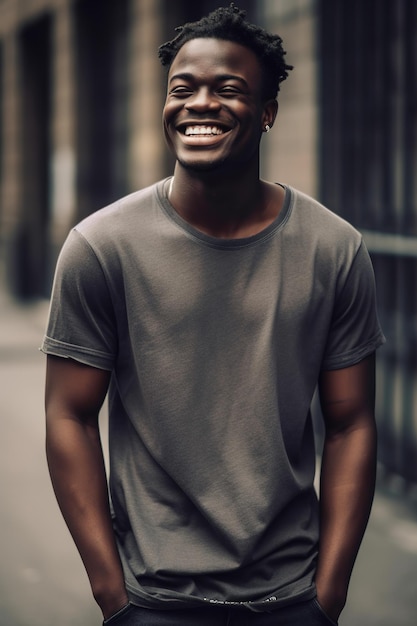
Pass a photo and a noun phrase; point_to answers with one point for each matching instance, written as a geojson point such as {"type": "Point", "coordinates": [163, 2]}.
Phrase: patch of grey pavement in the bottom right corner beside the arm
{"type": "Point", "coordinates": [383, 587]}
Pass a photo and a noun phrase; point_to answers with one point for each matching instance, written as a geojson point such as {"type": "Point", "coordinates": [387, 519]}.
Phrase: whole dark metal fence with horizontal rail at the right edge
{"type": "Point", "coordinates": [368, 54]}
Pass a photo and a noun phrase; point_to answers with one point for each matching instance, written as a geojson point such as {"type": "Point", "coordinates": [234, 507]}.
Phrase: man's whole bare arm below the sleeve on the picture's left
{"type": "Point", "coordinates": [73, 398]}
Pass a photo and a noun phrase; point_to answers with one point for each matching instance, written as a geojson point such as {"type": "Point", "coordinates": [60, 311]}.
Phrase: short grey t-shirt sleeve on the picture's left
{"type": "Point", "coordinates": [81, 321]}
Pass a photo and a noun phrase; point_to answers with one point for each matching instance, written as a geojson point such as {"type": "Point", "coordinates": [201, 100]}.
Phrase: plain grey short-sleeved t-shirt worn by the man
{"type": "Point", "coordinates": [215, 346]}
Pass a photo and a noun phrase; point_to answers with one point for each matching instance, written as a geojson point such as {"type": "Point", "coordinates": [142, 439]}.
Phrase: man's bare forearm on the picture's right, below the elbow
{"type": "Point", "coordinates": [346, 493]}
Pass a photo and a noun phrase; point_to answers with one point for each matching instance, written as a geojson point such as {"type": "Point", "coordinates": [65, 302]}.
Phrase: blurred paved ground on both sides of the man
{"type": "Point", "coordinates": [42, 581]}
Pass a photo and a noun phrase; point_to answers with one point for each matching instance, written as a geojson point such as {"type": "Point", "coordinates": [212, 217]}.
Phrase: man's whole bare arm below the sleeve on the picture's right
{"type": "Point", "coordinates": [347, 481]}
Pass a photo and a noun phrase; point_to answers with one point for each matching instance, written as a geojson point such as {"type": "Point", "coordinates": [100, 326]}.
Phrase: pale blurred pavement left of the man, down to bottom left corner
{"type": "Point", "coordinates": [42, 580]}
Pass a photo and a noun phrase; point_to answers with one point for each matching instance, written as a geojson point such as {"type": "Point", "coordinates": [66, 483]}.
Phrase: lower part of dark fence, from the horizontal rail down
{"type": "Point", "coordinates": [395, 263]}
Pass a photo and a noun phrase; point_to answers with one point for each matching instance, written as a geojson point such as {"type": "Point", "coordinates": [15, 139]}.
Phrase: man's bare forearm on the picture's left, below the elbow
{"type": "Point", "coordinates": [78, 475]}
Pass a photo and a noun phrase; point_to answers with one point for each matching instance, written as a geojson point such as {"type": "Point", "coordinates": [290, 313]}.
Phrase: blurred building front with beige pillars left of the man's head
{"type": "Point", "coordinates": [135, 144]}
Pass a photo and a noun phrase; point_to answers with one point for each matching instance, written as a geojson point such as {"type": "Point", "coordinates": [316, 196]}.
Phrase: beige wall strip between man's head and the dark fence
{"type": "Point", "coordinates": [290, 149]}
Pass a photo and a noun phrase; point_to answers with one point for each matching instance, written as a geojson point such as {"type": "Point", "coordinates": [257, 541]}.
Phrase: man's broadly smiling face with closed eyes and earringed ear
{"type": "Point", "coordinates": [214, 113]}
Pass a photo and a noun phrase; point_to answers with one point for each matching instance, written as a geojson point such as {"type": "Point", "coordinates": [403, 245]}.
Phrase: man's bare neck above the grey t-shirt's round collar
{"type": "Point", "coordinates": [232, 207]}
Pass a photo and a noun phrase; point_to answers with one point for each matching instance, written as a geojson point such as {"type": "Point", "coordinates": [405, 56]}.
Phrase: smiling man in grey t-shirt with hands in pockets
{"type": "Point", "coordinates": [211, 305]}
